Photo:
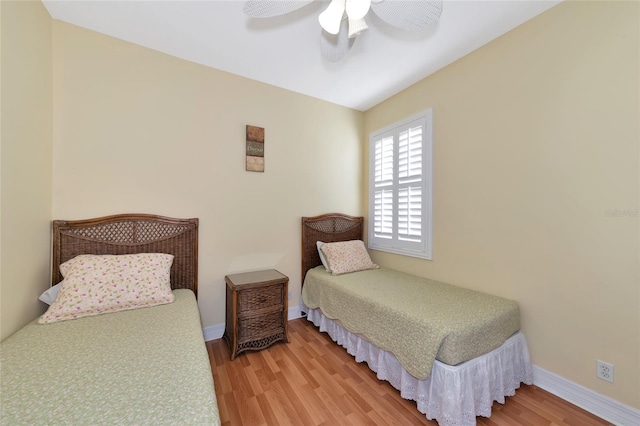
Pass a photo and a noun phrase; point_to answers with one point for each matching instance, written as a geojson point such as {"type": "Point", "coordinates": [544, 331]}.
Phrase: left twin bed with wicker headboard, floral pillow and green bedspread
{"type": "Point", "coordinates": [143, 363]}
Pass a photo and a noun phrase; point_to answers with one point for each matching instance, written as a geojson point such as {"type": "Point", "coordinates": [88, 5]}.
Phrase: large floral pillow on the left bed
{"type": "Point", "coordinates": [99, 284]}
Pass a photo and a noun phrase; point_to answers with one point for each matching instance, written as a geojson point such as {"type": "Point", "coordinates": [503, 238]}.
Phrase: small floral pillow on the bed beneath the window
{"type": "Point", "coordinates": [347, 256]}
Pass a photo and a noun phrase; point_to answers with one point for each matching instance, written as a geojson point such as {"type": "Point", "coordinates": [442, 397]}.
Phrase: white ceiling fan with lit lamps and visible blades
{"type": "Point", "coordinates": [343, 20]}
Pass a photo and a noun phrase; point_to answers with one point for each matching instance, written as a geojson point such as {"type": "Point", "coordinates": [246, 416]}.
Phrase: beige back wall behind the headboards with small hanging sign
{"type": "Point", "coordinates": [139, 131]}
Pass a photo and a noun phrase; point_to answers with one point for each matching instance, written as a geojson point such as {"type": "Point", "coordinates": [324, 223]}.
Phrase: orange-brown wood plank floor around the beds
{"type": "Point", "coordinates": [313, 381]}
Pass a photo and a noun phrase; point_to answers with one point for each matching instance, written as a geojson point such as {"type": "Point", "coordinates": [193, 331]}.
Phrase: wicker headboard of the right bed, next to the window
{"type": "Point", "coordinates": [327, 228]}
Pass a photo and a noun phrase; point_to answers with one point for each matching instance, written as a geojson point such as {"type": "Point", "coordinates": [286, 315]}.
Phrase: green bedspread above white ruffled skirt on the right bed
{"type": "Point", "coordinates": [416, 319]}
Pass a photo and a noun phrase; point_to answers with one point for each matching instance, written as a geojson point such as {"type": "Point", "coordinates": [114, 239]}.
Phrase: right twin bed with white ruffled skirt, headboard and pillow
{"type": "Point", "coordinates": [452, 350]}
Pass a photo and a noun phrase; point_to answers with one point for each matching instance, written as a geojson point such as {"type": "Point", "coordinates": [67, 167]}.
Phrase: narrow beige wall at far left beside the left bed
{"type": "Point", "coordinates": [25, 191]}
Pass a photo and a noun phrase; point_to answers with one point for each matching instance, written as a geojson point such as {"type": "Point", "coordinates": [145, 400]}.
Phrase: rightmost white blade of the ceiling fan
{"type": "Point", "coordinates": [408, 14]}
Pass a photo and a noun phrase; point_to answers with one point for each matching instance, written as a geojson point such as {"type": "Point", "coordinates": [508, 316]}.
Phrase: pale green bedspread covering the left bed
{"type": "Point", "coordinates": [144, 366]}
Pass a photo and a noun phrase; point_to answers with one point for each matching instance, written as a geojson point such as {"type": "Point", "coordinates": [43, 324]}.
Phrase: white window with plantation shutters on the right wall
{"type": "Point", "coordinates": [400, 196]}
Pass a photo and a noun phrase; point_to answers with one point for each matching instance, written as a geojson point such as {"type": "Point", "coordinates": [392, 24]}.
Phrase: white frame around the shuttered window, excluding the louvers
{"type": "Point", "coordinates": [423, 249]}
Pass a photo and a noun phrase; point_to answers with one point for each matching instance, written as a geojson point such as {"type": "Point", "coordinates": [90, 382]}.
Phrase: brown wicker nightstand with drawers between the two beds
{"type": "Point", "coordinates": [256, 310]}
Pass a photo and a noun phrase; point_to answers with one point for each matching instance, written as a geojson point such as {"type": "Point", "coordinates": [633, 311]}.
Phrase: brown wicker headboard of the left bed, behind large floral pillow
{"type": "Point", "coordinates": [129, 234]}
